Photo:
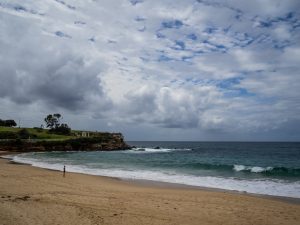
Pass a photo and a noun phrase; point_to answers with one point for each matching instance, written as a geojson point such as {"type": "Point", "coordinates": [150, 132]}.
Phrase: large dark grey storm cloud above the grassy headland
{"type": "Point", "coordinates": [43, 69]}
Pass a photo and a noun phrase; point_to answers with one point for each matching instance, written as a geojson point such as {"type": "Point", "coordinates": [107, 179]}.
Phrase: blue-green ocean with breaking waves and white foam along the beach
{"type": "Point", "coordinates": [261, 168]}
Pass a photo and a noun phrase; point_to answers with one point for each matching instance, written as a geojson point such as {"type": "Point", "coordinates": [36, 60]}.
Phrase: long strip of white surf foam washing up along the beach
{"type": "Point", "coordinates": [258, 186]}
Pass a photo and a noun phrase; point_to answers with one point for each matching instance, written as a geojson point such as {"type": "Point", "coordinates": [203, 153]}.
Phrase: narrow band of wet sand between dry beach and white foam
{"type": "Point", "coordinates": [167, 185]}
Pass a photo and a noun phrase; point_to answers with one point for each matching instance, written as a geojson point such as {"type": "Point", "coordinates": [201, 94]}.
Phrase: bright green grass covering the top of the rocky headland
{"type": "Point", "coordinates": [42, 134]}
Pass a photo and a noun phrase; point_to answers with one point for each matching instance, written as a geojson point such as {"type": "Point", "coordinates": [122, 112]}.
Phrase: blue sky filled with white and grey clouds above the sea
{"type": "Point", "coordinates": [178, 70]}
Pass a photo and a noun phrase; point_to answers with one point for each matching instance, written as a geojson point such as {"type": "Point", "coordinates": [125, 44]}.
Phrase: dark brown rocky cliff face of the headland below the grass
{"type": "Point", "coordinates": [103, 142]}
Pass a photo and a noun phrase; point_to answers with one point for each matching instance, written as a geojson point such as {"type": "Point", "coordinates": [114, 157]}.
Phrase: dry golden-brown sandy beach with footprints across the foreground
{"type": "Point", "coordinates": [32, 196]}
